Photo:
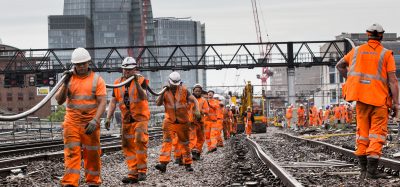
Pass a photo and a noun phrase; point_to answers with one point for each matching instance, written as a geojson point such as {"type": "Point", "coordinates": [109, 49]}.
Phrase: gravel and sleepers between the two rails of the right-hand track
{"type": "Point", "coordinates": [290, 153]}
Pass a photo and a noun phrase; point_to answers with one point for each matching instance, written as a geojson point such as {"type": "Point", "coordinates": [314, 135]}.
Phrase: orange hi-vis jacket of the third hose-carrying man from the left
{"type": "Point", "coordinates": [176, 106]}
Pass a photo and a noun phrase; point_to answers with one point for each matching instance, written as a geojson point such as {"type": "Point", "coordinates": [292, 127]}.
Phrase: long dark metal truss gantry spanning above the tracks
{"type": "Point", "coordinates": [181, 57]}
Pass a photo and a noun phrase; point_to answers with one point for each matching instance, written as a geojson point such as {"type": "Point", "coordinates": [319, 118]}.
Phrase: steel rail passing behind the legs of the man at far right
{"type": "Point", "coordinates": [392, 164]}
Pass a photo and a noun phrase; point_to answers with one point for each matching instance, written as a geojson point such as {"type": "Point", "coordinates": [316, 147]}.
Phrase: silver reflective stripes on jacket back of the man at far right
{"type": "Point", "coordinates": [377, 76]}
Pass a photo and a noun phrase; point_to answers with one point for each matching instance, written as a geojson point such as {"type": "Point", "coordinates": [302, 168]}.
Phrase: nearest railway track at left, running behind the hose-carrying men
{"type": "Point", "coordinates": [8, 165]}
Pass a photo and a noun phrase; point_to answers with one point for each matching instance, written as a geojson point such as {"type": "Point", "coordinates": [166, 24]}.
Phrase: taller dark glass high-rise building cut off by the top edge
{"type": "Point", "coordinates": [102, 23]}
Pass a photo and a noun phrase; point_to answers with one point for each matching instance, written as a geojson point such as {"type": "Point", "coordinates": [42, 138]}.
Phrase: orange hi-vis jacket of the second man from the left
{"type": "Point", "coordinates": [139, 109]}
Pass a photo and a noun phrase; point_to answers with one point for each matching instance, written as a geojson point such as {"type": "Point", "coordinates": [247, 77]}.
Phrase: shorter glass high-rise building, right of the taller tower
{"type": "Point", "coordinates": [179, 31]}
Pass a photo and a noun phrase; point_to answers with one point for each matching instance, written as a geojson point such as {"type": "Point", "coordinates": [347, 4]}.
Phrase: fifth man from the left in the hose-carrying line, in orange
{"type": "Point", "coordinates": [211, 126]}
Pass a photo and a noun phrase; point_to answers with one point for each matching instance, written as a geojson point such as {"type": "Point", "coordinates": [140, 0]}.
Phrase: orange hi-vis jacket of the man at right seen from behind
{"type": "Point", "coordinates": [367, 79]}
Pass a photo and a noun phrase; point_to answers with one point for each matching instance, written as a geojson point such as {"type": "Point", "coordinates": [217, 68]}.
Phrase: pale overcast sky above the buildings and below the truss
{"type": "Point", "coordinates": [23, 23]}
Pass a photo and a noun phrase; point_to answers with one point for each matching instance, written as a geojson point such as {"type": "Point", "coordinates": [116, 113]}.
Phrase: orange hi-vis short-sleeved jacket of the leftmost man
{"type": "Point", "coordinates": [81, 98]}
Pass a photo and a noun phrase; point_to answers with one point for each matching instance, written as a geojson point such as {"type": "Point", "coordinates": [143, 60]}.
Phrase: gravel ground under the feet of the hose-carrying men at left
{"type": "Point", "coordinates": [210, 171]}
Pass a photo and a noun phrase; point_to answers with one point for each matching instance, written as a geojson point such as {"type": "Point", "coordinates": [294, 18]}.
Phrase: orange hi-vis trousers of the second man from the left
{"type": "Point", "coordinates": [135, 138]}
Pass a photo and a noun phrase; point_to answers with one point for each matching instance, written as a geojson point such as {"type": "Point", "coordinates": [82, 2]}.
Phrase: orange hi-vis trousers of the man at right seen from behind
{"type": "Point", "coordinates": [371, 129]}
